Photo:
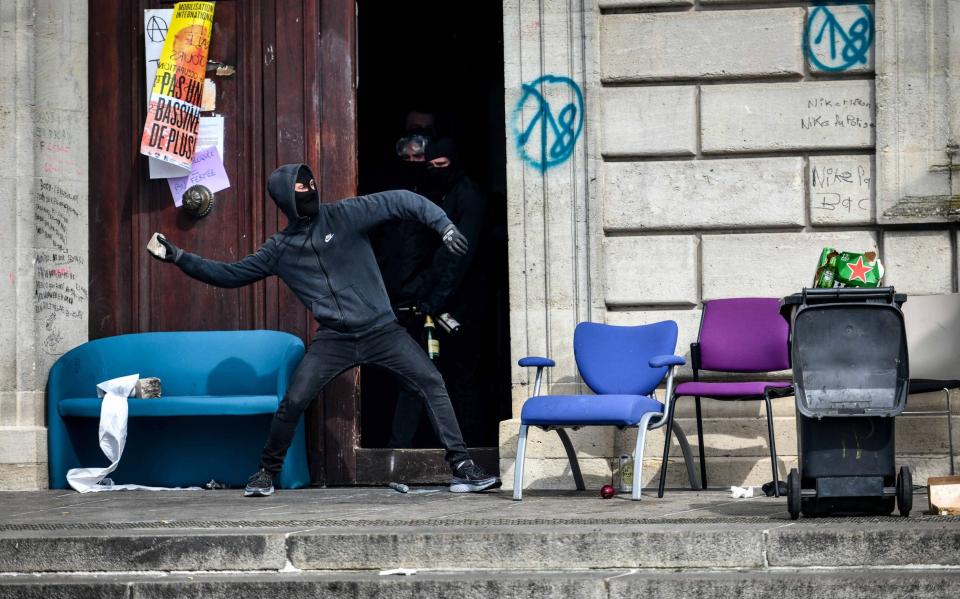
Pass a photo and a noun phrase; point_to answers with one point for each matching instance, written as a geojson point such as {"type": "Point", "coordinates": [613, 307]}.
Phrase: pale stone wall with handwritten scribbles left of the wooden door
{"type": "Point", "coordinates": [43, 218]}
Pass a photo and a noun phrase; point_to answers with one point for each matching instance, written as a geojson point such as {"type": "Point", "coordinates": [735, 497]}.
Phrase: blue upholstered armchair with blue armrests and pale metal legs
{"type": "Point", "coordinates": [623, 365]}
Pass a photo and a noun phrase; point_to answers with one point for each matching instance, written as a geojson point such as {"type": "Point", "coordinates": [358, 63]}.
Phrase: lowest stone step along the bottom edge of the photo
{"type": "Point", "coordinates": [610, 584]}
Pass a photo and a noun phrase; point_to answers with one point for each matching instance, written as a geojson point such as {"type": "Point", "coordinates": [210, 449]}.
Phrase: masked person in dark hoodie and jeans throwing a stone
{"type": "Point", "coordinates": [324, 257]}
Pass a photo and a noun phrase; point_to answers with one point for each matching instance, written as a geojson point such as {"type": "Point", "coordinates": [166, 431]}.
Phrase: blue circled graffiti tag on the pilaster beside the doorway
{"type": "Point", "coordinates": [548, 140]}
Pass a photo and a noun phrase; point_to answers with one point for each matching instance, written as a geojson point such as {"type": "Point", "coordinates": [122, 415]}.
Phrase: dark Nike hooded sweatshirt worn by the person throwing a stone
{"type": "Point", "coordinates": [326, 260]}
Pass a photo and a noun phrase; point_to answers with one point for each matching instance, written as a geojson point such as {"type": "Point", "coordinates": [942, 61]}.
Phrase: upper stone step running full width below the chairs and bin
{"type": "Point", "coordinates": [518, 544]}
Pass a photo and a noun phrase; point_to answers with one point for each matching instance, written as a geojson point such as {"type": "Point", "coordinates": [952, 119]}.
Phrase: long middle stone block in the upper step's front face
{"type": "Point", "coordinates": [653, 546]}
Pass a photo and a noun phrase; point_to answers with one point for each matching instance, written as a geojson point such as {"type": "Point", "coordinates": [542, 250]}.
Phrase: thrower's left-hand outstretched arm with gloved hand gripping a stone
{"type": "Point", "coordinates": [220, 274]}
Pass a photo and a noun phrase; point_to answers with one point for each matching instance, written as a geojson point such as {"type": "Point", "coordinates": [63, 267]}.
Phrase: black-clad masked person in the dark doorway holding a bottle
{"type": "Point", "coordinates": [450, 286]}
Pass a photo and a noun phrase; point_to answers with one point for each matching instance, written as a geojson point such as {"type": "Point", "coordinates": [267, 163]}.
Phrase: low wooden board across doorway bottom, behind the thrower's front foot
{"type": "Point", "coordinates": [416, 466]}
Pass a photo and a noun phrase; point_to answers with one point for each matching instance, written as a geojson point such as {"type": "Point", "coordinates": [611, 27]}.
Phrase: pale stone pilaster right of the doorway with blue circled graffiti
{"type": "Point", "coordinates": [553, 225]}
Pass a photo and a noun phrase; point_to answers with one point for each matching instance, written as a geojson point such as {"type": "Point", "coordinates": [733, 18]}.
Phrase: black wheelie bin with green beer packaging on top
{"type": "Point", "coordinates": [848, 349]}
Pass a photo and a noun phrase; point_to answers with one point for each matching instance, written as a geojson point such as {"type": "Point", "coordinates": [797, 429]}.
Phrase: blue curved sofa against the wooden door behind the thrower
{"type": "Point", "coordinates": [220, 390]}
